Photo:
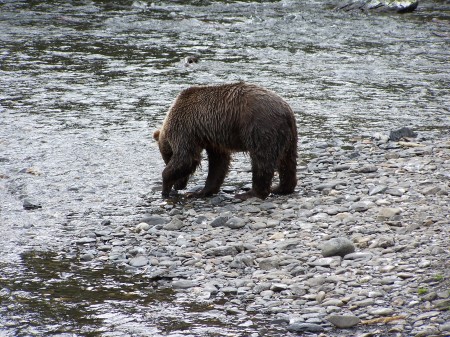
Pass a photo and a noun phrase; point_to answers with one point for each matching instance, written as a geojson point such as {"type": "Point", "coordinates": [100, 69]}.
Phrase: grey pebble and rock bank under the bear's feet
{"type": "Point", "coordinates": [361, 249]}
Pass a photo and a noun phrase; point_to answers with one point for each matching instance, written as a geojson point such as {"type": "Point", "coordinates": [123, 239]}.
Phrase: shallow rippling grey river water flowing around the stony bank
{"type": "Point", "coordinates": [83, 85]}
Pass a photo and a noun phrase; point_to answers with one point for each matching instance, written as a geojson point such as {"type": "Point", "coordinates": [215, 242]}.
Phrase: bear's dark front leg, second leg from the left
{"type": "Point", "coordinates": [218, 165]}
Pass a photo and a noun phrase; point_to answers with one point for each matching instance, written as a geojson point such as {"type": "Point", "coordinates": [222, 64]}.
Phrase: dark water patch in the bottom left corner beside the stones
{"type": "Point", "coordinates": [57, 295]}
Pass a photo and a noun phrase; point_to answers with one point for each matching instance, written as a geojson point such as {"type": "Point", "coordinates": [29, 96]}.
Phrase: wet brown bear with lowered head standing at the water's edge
{"type": "Point", "coordinates": [222, 119]}
